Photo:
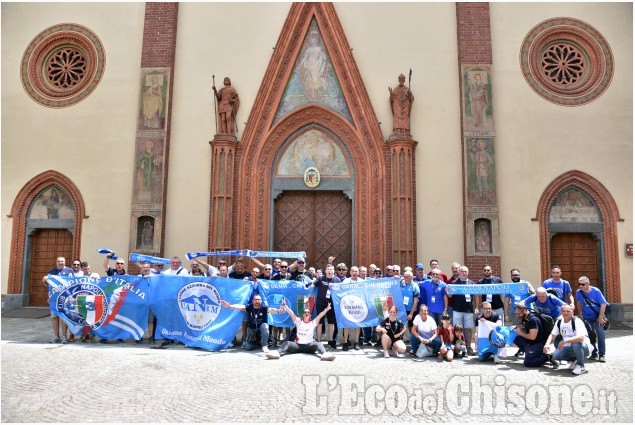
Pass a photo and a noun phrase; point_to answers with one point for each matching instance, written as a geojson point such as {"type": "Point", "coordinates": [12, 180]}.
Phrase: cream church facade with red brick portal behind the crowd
{"type": "Point", "coordinates": [380, 133]}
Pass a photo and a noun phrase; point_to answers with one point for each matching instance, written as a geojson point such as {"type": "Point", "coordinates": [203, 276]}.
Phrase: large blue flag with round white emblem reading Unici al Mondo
{"type": "Point", "coordinates": [188, 309]}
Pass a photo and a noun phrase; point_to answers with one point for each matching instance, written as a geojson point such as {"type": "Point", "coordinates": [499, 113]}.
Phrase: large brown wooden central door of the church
{"type": "Point", "coordinates": [319, 223]}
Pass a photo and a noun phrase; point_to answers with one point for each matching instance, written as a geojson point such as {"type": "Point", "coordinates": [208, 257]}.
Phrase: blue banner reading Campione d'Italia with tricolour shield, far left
{"type": "Point", "coordinates": [109, 307]}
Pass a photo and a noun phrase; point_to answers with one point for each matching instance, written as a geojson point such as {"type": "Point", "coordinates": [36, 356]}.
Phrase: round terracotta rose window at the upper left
{"type": "Point", "coordinates": [62, 65]}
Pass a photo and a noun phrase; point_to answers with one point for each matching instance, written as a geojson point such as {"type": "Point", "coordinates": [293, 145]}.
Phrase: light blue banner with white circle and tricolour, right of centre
{"type": "Point", "coordinates": [366, 303]}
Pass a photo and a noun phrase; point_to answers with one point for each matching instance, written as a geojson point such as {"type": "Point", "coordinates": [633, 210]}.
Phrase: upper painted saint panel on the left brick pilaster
{"type": "Point", "coordinates": [154, 87]}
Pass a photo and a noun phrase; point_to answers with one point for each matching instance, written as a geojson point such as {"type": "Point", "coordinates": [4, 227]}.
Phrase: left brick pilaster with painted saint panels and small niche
{"type": "Point", "coordinates": [147, 224]}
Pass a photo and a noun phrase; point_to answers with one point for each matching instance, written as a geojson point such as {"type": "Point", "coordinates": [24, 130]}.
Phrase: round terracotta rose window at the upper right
{"type": "Point", "coordinates": [566, 61]}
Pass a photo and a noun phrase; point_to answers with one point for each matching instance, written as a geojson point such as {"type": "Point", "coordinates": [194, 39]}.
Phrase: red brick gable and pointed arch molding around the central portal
{"type": "Point", "coordinates": [255, 154]}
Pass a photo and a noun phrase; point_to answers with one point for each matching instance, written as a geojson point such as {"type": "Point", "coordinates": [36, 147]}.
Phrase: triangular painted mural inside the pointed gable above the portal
{"type": "Point", "coordinates": [313, 79]}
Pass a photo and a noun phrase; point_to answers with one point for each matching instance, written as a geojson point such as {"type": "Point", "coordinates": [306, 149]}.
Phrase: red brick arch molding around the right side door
{"type": "Point", "coordinates": [610, 216]}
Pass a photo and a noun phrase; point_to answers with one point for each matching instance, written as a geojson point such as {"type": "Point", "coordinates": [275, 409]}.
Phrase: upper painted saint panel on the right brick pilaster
{"type": "Point", "coordinates": [477, 91]}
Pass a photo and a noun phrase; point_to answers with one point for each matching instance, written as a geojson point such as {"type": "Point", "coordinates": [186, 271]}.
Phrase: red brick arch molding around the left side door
{"type": "Point", "coordinates": [19, 212]}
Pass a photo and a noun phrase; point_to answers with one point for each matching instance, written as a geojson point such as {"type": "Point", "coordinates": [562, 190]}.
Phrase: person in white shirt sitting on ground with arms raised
{"type": "Point", "coordinates": [304, 341]}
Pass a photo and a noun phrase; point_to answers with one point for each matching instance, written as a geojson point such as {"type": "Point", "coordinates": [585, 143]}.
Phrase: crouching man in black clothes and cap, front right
{"type": "Point", "coordinates": [531, 338]}
